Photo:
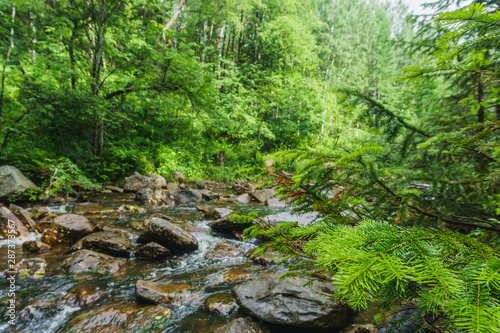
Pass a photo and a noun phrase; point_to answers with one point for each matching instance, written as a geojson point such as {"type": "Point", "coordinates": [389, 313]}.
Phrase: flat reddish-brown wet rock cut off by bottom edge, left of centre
{"type": "Point", "coordinates": [120, 317]}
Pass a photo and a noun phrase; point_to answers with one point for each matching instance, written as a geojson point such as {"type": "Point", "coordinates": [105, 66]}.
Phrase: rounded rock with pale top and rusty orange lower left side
{"type": "Point", "coordinates": [67, 229]}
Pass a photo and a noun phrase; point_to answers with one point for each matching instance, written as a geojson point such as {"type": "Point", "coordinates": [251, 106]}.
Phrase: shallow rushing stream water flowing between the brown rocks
{"type": "Point", "coordinates": [44, 304]}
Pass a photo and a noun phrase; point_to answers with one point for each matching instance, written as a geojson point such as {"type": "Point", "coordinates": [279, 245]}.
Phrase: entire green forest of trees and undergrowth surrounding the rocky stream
{"type": "Point", "coordinates": [383, 124]}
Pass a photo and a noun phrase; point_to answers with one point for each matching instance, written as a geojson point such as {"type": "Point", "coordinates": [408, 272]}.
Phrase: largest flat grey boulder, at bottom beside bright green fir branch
{"type": "Point", "coordinates": [289, 302]}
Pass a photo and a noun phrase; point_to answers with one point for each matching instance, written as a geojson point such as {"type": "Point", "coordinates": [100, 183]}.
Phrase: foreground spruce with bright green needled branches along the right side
{"type": "Point", "coordinates": [386, 203]}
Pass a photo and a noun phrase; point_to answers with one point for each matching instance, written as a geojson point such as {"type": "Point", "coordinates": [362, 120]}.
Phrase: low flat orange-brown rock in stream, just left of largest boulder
{"type": "Point", "coordinates": [166, 294]}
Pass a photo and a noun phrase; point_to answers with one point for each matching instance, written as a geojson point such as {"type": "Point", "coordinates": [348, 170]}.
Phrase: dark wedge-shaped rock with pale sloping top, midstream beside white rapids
{"type": "Point", "coordinates": [168, 235]}
